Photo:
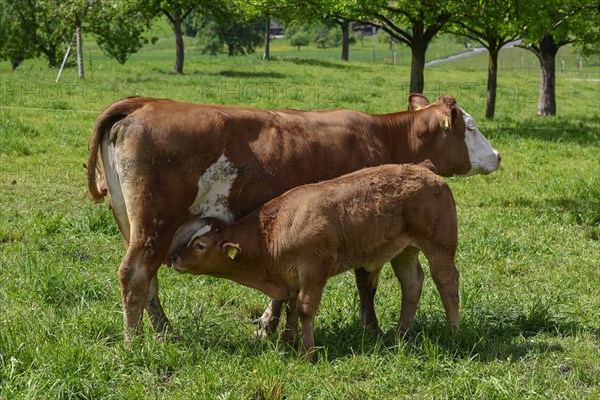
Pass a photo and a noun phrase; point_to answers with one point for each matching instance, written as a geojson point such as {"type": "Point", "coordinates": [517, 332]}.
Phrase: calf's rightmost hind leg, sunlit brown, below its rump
{"type": "Point", "coordinates": [445, 275]}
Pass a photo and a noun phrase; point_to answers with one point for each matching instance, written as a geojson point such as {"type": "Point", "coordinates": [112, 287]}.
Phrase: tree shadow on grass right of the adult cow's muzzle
{"type": "Point", "coordinates": [583, 131]}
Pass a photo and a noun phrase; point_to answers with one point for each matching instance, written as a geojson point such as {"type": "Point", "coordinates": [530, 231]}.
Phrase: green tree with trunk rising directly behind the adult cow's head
{"type": "Point", "coordinates": [414, 23]}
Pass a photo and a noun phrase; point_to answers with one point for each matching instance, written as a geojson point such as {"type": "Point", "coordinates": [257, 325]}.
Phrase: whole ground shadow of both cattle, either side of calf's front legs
{"type": "Point", "coordinates": [485, 336]}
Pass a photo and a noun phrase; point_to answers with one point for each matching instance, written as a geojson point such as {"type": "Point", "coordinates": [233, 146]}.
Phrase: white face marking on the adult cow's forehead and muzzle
{"type": "Point", "coordinates": [483, 157]}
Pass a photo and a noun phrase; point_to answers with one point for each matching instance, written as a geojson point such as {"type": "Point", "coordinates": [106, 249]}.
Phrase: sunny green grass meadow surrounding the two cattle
{"type": "Point", "coordinates": [529, 250]}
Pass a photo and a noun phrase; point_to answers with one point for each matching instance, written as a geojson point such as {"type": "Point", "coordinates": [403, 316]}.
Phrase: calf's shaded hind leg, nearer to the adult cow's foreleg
{"type": "Point", "coordinates": [410, 274]}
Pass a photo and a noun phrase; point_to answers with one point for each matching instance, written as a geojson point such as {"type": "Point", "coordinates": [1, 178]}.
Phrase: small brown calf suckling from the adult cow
{"type": "Point", "coordinates": [295, 242]}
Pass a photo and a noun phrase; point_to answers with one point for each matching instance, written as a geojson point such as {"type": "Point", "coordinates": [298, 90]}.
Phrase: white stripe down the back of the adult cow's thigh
{"type": "Point", "coordinates": [115, 190]}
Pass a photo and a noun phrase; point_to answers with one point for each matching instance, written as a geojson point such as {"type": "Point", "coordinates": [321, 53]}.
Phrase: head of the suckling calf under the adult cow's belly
{"type": "Point", "coordinates": [200, 249]}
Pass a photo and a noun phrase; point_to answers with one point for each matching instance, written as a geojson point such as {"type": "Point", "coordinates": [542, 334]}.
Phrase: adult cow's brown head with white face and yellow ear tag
{"type": "Point", "coordinates": [447, 135]}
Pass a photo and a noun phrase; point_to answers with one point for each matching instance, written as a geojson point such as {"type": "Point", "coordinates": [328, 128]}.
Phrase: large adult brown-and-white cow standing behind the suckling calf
{"type": "Point", "coordinates": [163, 163]}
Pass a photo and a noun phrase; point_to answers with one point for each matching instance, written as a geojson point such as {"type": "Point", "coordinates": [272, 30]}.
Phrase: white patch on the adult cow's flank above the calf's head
{"type": "Point", "coordinates": [213, 190]}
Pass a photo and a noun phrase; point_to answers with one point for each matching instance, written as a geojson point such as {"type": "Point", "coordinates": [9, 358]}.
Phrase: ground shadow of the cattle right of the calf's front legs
{"type": "Point", "coordinates": [484, 337]}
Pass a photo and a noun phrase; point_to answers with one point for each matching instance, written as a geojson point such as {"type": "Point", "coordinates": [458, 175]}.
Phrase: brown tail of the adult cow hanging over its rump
{"type": "Point", "coordinates": [115, 112]}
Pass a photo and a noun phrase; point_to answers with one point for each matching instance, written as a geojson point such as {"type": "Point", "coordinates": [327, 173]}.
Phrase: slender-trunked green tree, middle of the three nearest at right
{"type": "Point", "coordinates": [497, 27]}
